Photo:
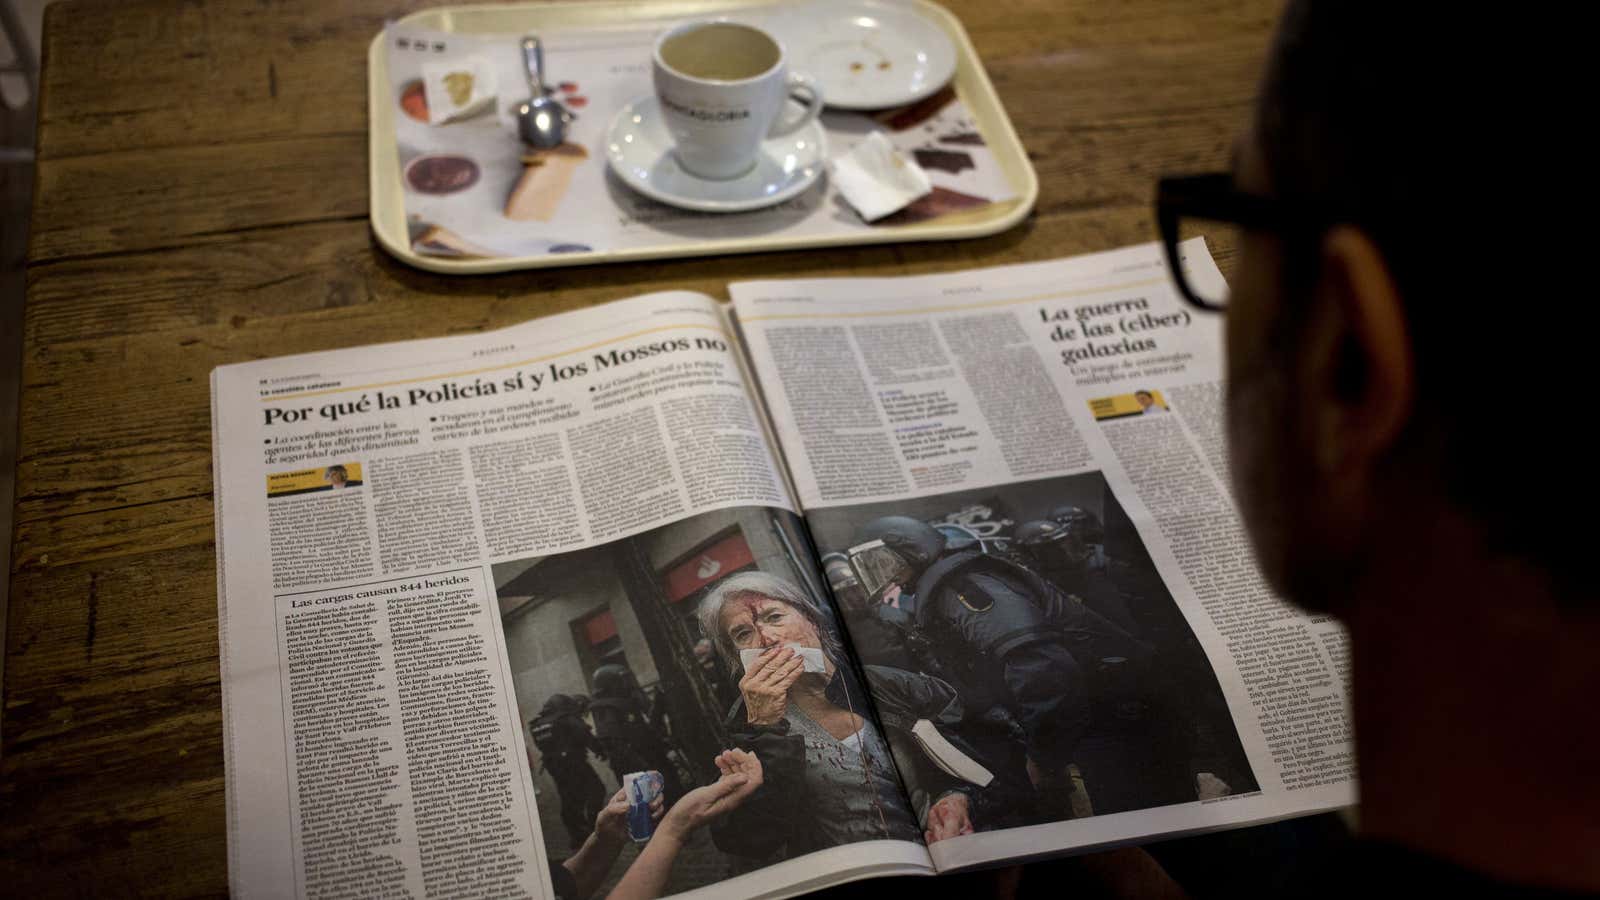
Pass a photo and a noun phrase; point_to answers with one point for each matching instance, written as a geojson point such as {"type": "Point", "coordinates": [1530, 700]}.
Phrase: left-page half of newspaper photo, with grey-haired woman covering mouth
{"type": "Point", "coordinates": [679, 648]}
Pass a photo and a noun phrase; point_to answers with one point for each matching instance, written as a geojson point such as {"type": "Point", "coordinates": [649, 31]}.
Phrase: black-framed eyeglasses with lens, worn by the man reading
{"type": "Point", "coordinates": [1212, 207]}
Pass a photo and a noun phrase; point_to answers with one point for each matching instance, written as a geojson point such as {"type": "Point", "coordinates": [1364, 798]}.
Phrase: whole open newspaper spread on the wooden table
{"type": "Point", "coordinates": [473, 589]}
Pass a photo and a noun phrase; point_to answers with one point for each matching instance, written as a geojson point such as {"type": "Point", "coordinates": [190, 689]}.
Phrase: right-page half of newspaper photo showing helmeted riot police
{"type": "Point", "coordinates": [1087, 693]}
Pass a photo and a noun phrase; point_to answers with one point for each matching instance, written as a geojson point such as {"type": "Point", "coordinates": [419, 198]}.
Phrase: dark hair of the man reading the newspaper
{"type": "Point", "coordinates": [1433, 131]}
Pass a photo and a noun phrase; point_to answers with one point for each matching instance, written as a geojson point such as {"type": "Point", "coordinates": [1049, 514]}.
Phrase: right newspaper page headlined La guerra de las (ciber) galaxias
{"type": "Point", "coordinates": [1020, 484]}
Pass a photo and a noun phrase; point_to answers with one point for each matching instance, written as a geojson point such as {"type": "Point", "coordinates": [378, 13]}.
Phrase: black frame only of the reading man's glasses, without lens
{"type": "Point", "coordinates": [1215, 198]}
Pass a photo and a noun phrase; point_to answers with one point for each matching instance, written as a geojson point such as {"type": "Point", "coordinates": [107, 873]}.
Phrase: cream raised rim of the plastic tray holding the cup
{"type": "Point", "coordinates": [388, 203]}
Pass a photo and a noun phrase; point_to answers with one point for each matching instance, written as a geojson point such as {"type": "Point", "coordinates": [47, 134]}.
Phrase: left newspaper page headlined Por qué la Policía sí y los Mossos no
{"type": "Point", "coordinates": [465, 590]}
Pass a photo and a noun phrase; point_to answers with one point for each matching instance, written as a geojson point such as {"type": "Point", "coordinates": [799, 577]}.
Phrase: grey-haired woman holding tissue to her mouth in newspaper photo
{"type": "Point", "coordinates": [828, 777]}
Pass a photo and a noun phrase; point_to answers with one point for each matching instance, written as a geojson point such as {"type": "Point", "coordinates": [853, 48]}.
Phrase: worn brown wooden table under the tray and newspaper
{"type": "Point", "coordinates": [202, 199]}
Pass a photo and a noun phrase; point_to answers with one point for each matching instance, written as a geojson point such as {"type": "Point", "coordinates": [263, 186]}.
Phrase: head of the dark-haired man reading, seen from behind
{"type": "Point", "coordinates": [1377, 366]}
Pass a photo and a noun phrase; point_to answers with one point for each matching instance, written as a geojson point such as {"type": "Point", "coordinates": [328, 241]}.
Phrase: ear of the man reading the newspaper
{"type": "Point", "coordinates": [1359, 371]}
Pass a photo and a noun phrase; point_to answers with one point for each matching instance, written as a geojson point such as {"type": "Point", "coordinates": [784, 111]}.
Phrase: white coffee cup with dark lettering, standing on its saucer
{"type": "Point", "coordinates": [724, 89]}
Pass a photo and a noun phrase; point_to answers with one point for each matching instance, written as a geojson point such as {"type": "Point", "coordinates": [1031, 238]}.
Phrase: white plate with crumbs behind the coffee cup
{"type": "Point", "coordinates": [870, 54]}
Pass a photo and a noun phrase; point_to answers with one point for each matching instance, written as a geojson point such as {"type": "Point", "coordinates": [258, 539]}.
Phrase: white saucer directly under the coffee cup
{"type": "Point", "coordinates": [639, 150]}
